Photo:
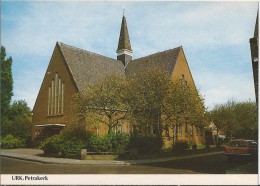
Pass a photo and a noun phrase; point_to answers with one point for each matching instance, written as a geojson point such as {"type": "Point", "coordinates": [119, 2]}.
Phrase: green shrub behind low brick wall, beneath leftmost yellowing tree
{"type": "Point", "coordinates": [116, 143]}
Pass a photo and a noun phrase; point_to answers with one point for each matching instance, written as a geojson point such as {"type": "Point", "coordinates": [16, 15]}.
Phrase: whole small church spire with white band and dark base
{"type": "Point", "coordinates": [124, 51]}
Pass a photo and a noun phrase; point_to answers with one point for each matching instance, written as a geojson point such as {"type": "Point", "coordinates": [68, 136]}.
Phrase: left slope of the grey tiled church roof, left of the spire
{"type": "Point", "coordinates": [87, 67]}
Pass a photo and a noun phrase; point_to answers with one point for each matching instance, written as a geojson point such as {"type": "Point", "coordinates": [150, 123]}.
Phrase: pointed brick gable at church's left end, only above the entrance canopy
{"type": "Point", "coordinates": [57, 71]}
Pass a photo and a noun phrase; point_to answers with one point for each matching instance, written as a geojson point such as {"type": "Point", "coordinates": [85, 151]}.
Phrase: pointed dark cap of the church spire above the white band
{"type": "Point", "coordinates": [124, 41]}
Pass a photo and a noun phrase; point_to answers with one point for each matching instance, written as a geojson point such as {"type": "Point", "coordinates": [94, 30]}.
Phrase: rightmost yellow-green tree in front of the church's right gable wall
{"type": "Point", "coordinates": [183, 105]}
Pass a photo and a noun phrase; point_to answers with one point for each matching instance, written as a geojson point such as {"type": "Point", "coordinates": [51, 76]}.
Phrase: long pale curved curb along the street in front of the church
{"type": "Point", "coordinates": [100, 162]}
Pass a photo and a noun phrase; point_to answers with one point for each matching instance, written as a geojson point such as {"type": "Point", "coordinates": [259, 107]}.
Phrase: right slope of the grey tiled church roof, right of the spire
{"type": "Point", "coordinates": [165, 61]}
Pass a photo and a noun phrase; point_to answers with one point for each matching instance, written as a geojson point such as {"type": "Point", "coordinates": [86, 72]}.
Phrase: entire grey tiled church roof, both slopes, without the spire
{"type": "Point", "coordinates": [89, 68]}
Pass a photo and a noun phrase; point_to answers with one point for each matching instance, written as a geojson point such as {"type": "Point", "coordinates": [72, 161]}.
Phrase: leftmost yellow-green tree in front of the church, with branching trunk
{"type": "Point", "coordinates": [101, 103]}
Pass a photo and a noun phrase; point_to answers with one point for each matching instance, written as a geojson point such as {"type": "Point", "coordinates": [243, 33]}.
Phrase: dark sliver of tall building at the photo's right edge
{"type": "Point", "coordinates": [254, 57]}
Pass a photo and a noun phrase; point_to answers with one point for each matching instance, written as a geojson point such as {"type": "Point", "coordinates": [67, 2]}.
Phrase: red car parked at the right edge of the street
{"type": "Point", "coordinates": [241, 148]}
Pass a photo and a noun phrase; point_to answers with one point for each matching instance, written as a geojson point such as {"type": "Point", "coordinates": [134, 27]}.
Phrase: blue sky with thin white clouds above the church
{"type": "Point", "coordinates": [214, 35]}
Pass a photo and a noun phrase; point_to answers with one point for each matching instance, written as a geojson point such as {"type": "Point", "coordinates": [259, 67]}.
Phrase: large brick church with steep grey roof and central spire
{"type": "Point", "coordinates": [71, 69]}
